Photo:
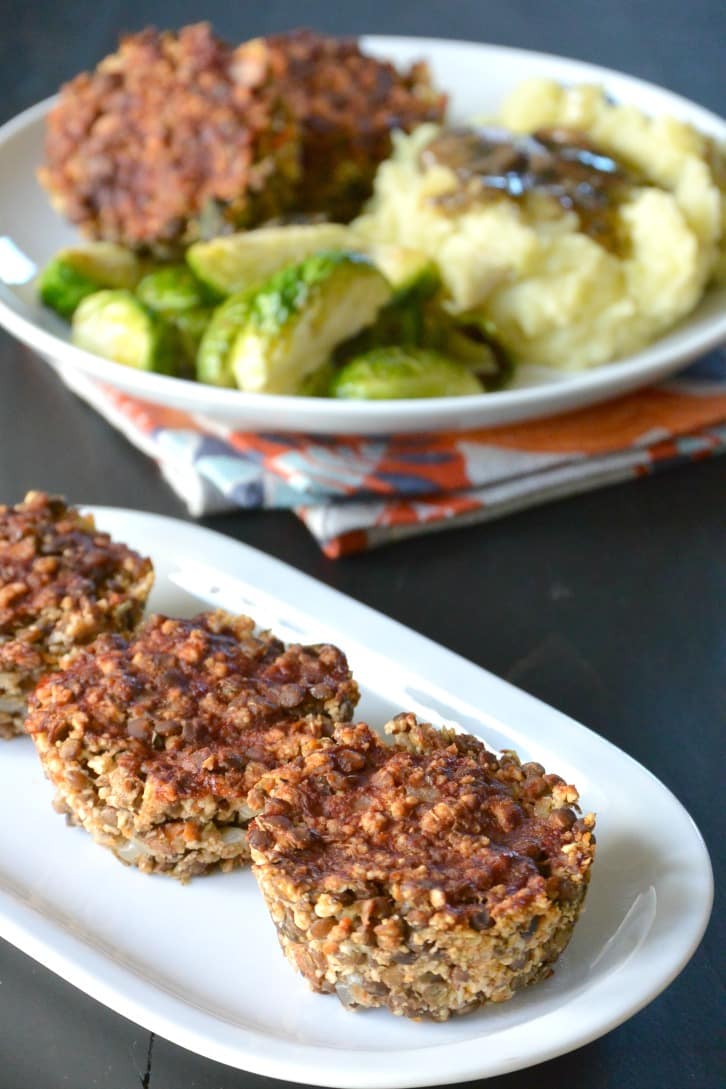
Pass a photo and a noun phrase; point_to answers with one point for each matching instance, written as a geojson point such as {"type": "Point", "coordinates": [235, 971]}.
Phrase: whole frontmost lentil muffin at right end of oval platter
{"type": "Point", "coordinates": [428, 876]}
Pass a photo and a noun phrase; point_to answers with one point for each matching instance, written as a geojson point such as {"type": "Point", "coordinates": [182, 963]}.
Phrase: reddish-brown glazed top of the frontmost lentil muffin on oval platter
{"type": "Point", "coordinates": [436, 822]}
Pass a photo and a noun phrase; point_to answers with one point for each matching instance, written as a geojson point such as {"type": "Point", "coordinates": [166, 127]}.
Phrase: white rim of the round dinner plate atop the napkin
{"type": "Point", "coordinates": [577, 389]}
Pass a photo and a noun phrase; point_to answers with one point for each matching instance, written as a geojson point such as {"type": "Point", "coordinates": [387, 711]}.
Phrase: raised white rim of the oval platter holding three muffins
{"type": "Point", "coordinates": [129, 995]}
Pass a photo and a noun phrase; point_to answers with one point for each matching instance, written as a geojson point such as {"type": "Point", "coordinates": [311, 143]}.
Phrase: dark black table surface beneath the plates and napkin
{"type": "Point", "coordinates": [610, 606]}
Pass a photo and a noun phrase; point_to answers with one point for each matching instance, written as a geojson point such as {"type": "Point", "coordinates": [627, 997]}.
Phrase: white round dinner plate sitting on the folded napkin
{"type": "Point", "coordinates": [477, 77]}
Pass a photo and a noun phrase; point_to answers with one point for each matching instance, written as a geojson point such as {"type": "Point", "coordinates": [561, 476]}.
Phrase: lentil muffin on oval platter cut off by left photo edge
{"type": "Point", "coordinates": [63, 583]}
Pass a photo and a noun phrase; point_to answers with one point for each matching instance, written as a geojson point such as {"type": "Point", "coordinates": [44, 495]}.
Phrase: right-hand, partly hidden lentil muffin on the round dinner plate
{"type": "Point", "coordinates": [347, 105]}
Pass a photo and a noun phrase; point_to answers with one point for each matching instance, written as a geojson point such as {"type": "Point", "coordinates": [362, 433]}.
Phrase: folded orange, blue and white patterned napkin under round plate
{"type": "Point", "coordinates": [359, 493]}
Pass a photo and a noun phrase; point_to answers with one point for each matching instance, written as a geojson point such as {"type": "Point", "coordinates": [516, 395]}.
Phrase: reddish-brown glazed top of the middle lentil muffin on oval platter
{"type": "Point", "coordinates": [202, 706]}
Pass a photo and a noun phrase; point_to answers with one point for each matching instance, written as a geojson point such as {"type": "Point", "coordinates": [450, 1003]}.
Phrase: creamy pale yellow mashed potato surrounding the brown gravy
{"type": "Point", "coordinates": [556, 296]}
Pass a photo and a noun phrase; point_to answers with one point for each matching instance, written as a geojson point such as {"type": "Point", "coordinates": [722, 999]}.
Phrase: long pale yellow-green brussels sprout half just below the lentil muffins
{"type": "Point", "coordinates": [236, 262]}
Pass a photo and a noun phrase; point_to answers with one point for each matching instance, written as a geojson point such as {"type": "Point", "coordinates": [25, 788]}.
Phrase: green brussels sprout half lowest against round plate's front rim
{"type": "Point", "coordinates": [395, 373]}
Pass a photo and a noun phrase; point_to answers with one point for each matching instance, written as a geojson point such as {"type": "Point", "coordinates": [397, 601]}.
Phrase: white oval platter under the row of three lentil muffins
{"type": "Point", "coordinates": [201, 965]}
